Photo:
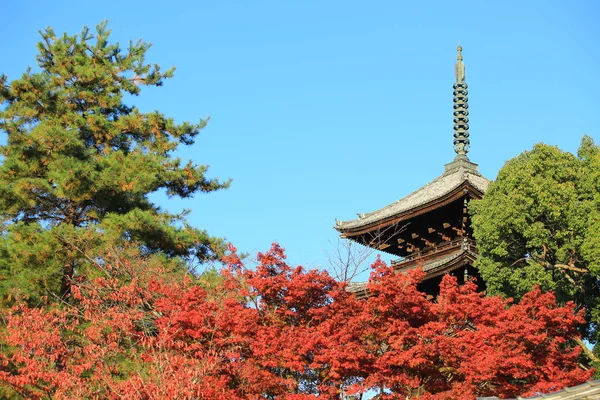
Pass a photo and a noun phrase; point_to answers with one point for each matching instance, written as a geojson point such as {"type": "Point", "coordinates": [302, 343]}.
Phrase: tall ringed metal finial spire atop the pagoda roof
{"type": "Point", "coordinates": [461, 106]}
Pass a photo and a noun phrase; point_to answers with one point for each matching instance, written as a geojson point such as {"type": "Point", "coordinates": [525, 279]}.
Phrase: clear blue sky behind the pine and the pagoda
{"type": "Point", "coordinates": [323, 109]}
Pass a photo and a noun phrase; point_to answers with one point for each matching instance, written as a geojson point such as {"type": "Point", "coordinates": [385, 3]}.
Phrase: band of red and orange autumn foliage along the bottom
{"type": "Point", "coordinates": [274, 331]}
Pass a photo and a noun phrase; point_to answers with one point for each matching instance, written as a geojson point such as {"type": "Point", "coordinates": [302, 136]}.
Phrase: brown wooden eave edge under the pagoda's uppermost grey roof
{"type": "Point", "coordinates": [457, 193]}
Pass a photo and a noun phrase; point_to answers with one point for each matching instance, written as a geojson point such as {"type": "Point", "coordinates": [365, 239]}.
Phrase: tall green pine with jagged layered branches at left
{"type": "Point", "coordinates": [79, 163]}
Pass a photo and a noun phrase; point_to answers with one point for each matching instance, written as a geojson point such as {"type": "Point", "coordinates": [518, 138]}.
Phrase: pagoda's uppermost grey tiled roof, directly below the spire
{"type": "Point", "coordinates": [458, 175]}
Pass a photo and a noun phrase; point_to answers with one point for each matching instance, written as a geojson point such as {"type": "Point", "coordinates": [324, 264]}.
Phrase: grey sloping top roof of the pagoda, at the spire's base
{"type": "Point", "coordinates": [443, 185]}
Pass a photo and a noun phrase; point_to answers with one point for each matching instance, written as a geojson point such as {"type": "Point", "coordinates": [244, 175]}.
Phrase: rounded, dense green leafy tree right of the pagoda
{"type": "Point", "coordinates": [539, 224]}
